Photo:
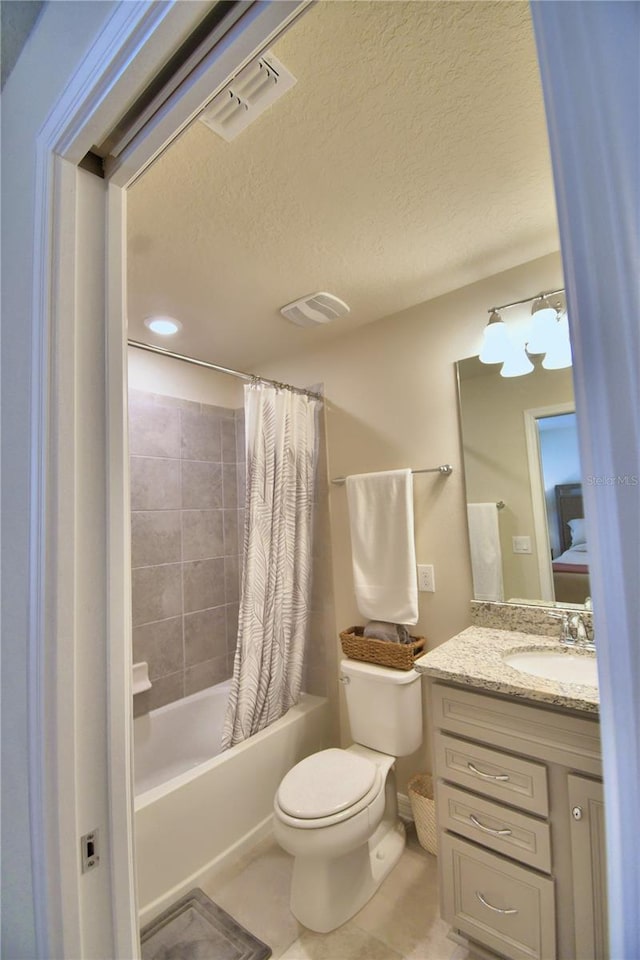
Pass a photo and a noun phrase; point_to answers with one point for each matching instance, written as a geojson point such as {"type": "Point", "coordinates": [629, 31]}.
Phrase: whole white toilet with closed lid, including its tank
{"type": "Point", "coordinates": [336, 811]}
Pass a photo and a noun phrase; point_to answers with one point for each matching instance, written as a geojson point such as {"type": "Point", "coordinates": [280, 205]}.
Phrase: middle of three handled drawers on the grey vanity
{"type": "Point", "coordinates": [495, 826]}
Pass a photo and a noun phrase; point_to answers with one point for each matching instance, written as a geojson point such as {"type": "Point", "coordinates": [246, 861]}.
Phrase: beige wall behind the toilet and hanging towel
{"type": "Point", "coordinates": [392, 402]}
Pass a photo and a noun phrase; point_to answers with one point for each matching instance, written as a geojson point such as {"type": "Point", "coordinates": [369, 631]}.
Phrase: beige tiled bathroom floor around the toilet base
{"type": "Point", "coordinates": [401, 922]}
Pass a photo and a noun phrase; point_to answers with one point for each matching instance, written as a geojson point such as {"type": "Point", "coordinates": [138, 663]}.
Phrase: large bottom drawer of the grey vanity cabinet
{"type": "Point", "coordinates": [507, 908]}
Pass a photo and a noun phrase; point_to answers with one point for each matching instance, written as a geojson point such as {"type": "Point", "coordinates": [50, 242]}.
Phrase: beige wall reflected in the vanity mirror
{"type": "Point", "coordinates": [496, 460]}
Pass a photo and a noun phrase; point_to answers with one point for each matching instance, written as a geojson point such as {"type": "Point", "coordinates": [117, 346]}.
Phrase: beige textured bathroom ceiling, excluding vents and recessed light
{"type": "Point", "coordinates": [410, 159]}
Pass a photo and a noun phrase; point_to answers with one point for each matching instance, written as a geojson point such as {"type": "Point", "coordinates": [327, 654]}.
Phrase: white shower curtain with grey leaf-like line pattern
{"type": "Point", "coordinates": [276, 581]}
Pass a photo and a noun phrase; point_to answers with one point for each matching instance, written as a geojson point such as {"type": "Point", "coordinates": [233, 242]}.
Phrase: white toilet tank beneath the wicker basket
{"type": "Point", "coordinates": [384, 706]}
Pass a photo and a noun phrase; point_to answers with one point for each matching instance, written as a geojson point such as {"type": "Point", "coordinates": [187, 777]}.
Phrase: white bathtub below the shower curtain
{"type": "Point", "coordinates": [196, 809]}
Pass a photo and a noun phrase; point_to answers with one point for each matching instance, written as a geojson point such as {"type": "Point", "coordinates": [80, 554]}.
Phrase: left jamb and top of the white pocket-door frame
{"type": "Point", "coordinates": [134, 43]}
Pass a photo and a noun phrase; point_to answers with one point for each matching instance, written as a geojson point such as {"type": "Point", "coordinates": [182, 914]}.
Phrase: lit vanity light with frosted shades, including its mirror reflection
{"type": "Point", "coordinates": [548, 336]}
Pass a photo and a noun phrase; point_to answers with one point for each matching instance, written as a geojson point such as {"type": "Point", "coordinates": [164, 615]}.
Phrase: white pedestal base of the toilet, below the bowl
{"type": "Point", "coordinates": [327, 893]}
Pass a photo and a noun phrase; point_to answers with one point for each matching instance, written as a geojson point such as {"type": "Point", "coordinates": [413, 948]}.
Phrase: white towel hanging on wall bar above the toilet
{"type": "Point", "coordinates": [382, 545]}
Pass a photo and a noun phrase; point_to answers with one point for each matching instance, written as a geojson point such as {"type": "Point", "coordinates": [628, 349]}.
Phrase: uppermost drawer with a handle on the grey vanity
{"type": "Point", "coordinates": [522, 783]}
